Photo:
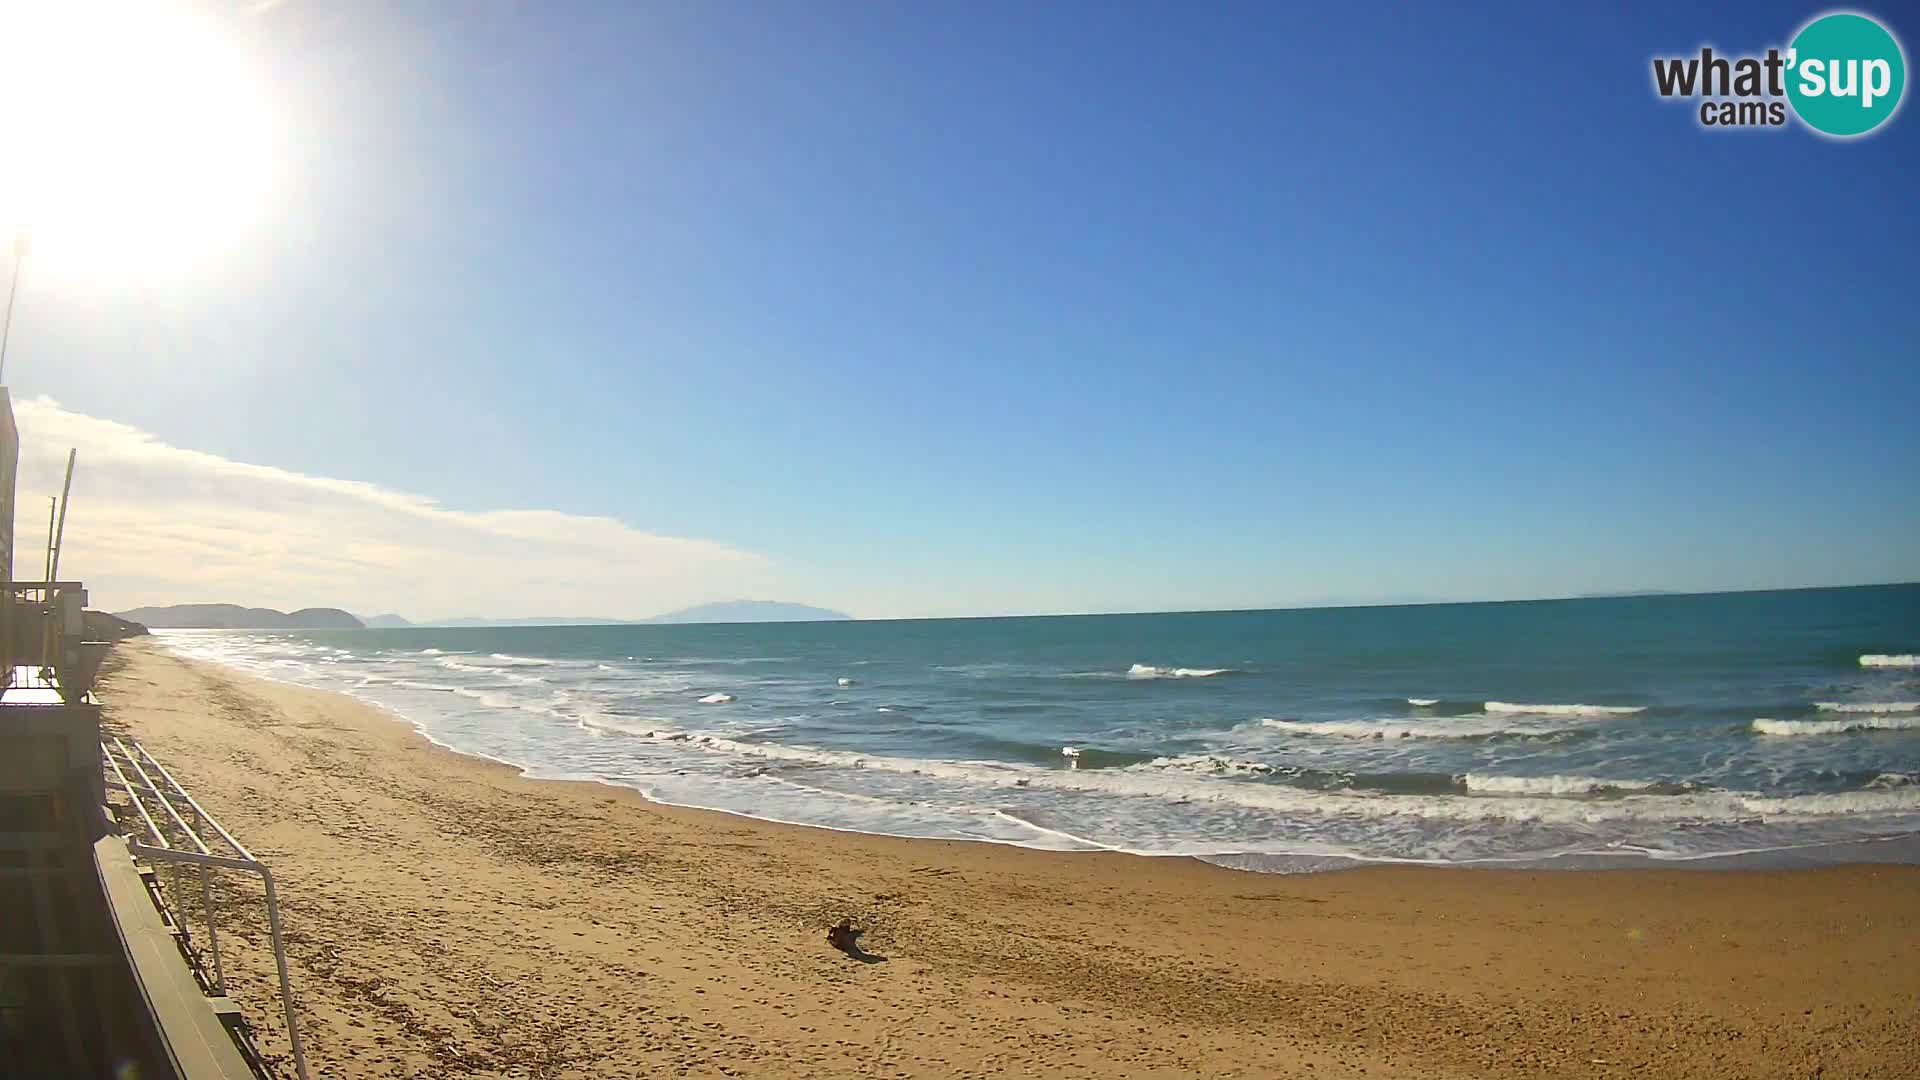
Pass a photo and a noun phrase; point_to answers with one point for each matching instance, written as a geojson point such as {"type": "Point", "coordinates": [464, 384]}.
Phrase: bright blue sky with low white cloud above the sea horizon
{"type": "Point", "coordinates": [921, 310]}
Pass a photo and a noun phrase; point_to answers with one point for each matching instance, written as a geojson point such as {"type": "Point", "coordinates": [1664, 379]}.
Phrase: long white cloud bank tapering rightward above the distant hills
{"type": "Point", "coordinates": [156, 524]}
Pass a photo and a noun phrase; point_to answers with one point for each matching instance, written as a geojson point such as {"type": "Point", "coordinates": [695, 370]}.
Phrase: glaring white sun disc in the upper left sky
{"type": "Point", "coordinates": [139, 137]}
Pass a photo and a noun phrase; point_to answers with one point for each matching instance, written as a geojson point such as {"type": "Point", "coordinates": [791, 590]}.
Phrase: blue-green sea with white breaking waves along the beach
{"type": "Point", "coordinates": [1560, 733]}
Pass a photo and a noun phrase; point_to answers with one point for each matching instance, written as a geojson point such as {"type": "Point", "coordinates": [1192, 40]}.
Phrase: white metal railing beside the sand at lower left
{"type": "Point", "coordinates": [166, 797]}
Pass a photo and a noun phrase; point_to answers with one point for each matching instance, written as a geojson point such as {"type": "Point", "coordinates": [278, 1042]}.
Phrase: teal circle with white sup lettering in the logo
{"type": "Point", "coordinates": [1846, 74]}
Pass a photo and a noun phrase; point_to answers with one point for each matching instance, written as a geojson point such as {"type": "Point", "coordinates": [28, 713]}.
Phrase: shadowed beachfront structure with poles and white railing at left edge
{"type": "Point", "coordinates": [108, 866]}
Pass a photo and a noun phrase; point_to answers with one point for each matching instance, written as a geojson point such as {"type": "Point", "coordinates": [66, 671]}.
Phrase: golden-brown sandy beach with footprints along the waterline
{"type": "Point", "coordinates": [448, 918]}
